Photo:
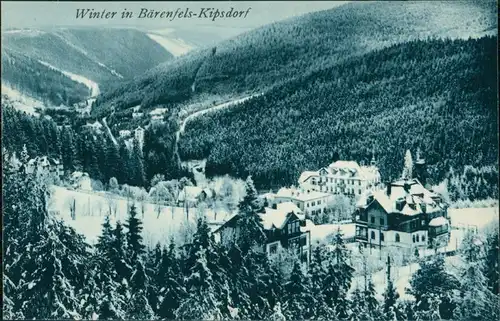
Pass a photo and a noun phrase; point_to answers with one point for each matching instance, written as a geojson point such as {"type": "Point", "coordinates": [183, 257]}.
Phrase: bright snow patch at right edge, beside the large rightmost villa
{"type": "Point", "coordinates": [473, 217]}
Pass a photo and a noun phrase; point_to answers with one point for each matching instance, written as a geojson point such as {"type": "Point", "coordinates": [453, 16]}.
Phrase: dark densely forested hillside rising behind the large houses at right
{"type": "Point", "coordinates": [437, 95]}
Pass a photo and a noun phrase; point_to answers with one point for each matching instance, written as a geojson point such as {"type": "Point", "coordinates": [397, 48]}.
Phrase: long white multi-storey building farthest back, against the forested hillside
{"type": "Point", "coordinates": [342, 177]}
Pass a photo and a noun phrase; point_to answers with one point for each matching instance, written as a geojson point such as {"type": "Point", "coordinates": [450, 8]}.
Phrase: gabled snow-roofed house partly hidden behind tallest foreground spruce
{"type": "Point", "coordinates": [285, 227]}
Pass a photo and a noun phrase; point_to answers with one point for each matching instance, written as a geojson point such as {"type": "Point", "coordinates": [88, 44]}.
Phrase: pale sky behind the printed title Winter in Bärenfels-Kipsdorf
{"type": "Point", "coordinates": [63, 14]}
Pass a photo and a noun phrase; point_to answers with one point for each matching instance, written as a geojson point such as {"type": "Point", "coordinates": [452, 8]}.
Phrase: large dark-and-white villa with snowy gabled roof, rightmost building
{"type": "Point", "coordinates": [405, 214]}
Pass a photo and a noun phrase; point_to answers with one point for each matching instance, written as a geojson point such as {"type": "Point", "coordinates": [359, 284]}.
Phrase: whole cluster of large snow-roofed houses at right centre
{"type": "Point", "coordinates": [401, 214]}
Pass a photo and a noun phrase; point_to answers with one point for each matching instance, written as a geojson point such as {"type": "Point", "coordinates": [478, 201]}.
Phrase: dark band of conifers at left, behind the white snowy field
{"type": "Point", "coordinates": [81, 148]}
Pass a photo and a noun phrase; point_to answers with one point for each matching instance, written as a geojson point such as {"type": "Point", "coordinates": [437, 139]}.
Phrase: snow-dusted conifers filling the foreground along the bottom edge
{"type": "Point", "coordinates": [52, 273]}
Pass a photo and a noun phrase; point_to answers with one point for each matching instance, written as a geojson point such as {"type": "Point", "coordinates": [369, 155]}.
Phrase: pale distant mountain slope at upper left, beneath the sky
{"type": "Point", "coordinates": [103, 56]}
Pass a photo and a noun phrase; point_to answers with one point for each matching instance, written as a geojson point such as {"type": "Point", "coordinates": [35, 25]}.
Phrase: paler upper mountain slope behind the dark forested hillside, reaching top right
{"type": "Point", "coordinates": [276, 53]}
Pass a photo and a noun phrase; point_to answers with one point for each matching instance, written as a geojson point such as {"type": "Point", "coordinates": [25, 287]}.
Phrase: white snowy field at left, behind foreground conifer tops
{"type": "Point", "coordinates": [91, 208]}
